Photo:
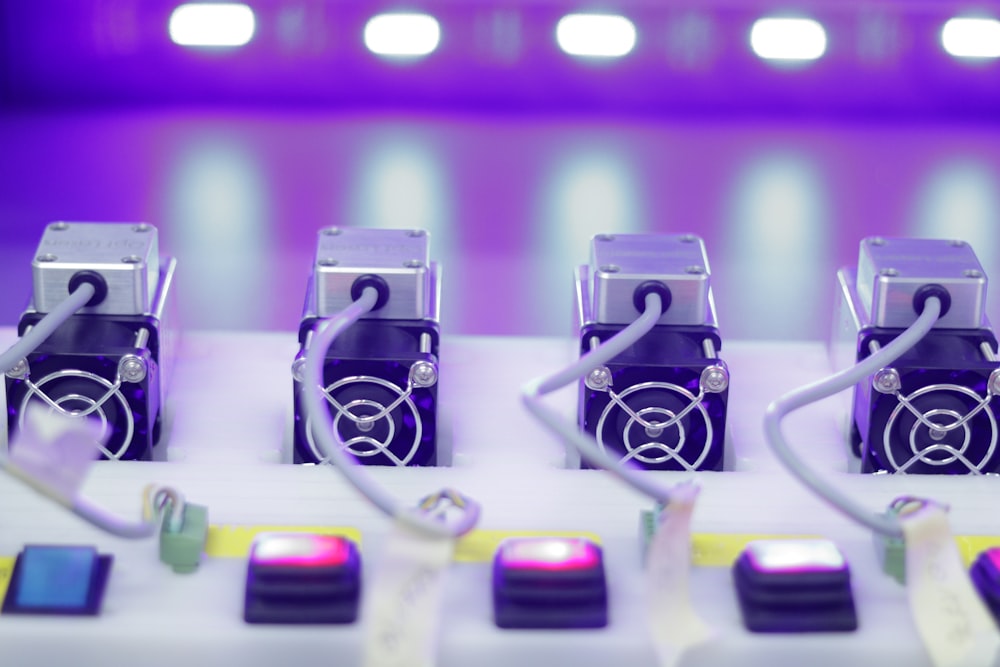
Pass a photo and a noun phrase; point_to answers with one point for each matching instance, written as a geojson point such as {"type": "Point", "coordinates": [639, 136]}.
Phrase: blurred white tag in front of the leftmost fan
{"type": "Point", "coordinates": [55, 451]}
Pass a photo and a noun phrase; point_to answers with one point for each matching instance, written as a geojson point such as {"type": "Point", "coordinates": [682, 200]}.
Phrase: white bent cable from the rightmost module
{"type": "Point", "coordinates": [827, 387]}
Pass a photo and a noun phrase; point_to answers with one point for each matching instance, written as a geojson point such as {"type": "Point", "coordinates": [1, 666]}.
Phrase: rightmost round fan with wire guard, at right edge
{"type": "Point", "coordinates": [911, 446]}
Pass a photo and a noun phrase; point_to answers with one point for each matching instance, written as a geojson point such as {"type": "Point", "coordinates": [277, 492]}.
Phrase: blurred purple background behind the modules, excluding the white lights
{"type": "Point", "coordinates": [512, 156]}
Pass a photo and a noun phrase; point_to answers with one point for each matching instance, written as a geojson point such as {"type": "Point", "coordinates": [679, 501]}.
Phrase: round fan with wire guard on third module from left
{"type": "Point", "coordinates": [656, 404]}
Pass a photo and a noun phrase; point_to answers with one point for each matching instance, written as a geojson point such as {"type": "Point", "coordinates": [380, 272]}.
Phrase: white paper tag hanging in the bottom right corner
{"type": "Point", "coordinates": [954, 624]}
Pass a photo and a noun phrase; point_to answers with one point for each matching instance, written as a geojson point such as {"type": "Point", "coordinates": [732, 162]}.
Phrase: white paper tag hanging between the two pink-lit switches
{"type": "Point", "coordinates": [403, 603]}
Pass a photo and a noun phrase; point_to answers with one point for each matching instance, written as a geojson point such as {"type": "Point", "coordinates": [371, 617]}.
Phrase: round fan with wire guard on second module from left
{"type": "Point", "coordinates": [363, 396]}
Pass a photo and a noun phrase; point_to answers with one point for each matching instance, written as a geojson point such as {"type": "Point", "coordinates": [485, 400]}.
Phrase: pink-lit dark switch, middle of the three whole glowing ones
{"type": "Point", "coordinates": [549, 582]}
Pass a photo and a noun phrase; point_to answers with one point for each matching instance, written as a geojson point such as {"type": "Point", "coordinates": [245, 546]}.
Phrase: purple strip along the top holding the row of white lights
{"type": "Point", "coordinates": [876, 58]}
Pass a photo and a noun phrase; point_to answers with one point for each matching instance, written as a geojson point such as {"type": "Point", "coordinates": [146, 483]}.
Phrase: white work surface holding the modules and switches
{"type": "Point", "coordinates": [228, 424]}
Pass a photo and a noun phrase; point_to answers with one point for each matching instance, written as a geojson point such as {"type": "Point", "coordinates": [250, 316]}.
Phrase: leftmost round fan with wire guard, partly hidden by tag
{"type": "Point", "coordinates": [80, 393]}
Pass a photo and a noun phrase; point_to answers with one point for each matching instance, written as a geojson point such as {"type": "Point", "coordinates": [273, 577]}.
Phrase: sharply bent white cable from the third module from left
{"type": "Point", "coordinates": [532, 393]}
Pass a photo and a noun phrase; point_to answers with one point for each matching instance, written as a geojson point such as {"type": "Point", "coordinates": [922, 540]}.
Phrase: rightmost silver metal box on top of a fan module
{"type": "Point", "coordinates": [891, 270]}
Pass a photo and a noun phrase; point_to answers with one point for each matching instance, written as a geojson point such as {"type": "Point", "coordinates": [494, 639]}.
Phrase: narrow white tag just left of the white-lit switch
{"type": "Point", "coordinates": [673, 622]}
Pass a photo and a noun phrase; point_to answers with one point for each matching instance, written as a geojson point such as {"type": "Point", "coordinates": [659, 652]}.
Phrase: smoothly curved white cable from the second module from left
{"type": "Point", "coordinates": [331, 445]}
